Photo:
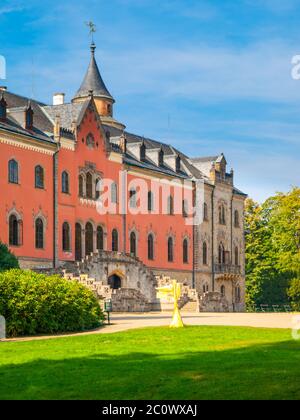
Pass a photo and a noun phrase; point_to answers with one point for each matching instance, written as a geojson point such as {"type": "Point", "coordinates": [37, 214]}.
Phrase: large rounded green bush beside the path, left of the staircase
{"type": "Point", "coordinates": [37, 304]}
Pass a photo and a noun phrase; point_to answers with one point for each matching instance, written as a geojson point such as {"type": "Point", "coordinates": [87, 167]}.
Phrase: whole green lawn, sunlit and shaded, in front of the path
{"type": "Point", "coordinates": [155, 363]}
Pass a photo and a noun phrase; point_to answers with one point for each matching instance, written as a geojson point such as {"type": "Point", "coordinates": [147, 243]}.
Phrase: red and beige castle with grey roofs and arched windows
{"type": "Point", "coordinates": [76, 186]}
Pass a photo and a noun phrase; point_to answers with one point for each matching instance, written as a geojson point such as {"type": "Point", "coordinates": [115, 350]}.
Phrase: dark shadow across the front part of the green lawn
{"type": "Point", "coordinates": [257, 372]}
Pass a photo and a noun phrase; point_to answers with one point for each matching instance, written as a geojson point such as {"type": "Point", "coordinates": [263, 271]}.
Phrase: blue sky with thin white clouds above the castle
{"type": "Point", "coordinates": [207, 76]}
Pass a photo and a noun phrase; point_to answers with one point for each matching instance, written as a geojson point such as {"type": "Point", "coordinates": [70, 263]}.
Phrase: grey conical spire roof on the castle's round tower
{"type": "Point", "coordinates": [93, 80]}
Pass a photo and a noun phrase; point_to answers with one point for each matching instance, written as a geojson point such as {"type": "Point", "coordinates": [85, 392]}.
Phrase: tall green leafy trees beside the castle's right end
{"type": "Point", "coordinates": [272, 248]}
